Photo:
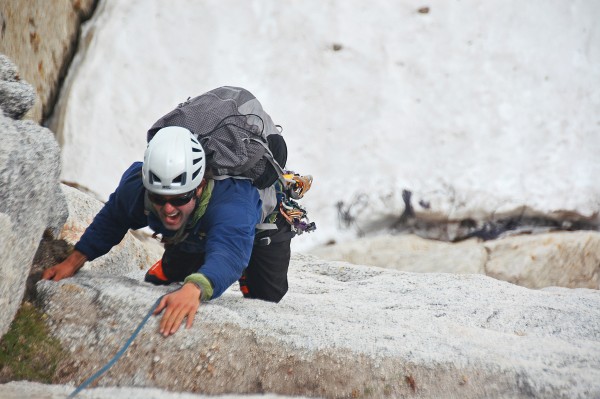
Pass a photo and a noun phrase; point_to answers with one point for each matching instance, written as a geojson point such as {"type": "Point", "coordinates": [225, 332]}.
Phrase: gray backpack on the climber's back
{"type": "Point", "coordinates": [238, 136]}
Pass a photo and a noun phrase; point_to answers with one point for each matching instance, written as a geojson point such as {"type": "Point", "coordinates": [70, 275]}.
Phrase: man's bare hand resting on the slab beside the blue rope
{"type": "Point", "coordinates": [179, 304]}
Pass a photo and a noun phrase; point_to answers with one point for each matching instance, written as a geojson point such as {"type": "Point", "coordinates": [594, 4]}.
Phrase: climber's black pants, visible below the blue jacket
{"type": "Point", "coordinates": [265, 277]}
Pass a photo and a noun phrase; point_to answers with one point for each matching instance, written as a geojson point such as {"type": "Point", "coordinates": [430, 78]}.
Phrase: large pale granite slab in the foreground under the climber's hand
{"type": "Point", "coordinates": [342, 331]}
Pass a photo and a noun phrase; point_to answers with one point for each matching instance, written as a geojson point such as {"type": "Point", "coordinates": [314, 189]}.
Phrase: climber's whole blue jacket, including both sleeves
{"type": "Point", "coordinates": [225, 233]}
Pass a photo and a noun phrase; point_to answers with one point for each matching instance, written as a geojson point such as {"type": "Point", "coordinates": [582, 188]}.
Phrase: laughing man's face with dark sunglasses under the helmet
{"type": "Point", "coordinates": [173, 216]}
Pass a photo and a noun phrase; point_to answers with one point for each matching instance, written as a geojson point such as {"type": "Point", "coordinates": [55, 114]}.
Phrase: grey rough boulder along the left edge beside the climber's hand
{"type": "Point", "coordinates": [29, 193]}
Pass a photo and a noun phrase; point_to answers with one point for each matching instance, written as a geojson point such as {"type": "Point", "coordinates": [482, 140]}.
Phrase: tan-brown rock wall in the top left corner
{"type": "Point", "coordinates": [41, 41]}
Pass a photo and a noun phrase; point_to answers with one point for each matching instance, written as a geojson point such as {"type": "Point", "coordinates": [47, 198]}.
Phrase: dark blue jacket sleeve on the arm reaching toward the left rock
{"type": "Point", "coordinates": [124, 210]}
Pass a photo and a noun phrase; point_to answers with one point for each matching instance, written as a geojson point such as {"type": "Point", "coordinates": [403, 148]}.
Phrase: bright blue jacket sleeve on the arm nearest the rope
{"type": "Point", "coordinates": [231, 220]}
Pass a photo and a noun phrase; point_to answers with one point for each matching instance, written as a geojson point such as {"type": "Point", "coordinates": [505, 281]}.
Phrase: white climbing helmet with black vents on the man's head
{"type": "Point", "coordinates": [174, 162]}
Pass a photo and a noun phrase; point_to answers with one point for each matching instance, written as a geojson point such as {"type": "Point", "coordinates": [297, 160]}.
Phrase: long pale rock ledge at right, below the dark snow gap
{"type": "Point", "coordinates": [564, 259]}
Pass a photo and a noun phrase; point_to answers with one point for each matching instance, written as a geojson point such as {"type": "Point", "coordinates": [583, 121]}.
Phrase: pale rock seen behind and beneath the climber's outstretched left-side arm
{"type": "Point", "coordinates": [129, 255]}
